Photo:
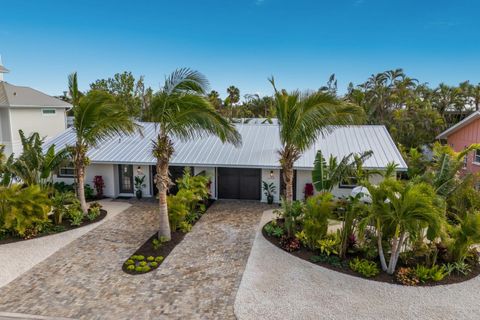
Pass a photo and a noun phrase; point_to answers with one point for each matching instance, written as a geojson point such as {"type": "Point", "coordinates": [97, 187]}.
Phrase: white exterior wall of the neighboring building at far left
{"type": "Point", "coordinates": [32, 120]}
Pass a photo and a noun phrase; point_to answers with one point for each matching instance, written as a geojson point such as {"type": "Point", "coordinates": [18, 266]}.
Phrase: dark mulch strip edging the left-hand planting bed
{"type": "Point", "coordinates": [52, 228]}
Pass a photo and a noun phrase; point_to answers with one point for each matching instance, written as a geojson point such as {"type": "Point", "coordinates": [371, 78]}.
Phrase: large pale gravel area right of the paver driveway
{"type": "Point", "coordinates": [277, 285]}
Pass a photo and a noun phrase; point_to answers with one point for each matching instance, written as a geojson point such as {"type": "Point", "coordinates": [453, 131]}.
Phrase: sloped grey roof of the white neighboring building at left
{"type": "Point", "coordinates": [17, 96]}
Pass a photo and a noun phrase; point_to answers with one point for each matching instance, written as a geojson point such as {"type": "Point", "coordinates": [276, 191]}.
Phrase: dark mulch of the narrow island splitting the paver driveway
{"type": "Point", "coordinates": [147, 249]}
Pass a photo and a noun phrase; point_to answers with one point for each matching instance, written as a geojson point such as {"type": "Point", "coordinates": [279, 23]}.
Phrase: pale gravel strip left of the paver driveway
{"type": "Point", "coordinates": [19, 257]}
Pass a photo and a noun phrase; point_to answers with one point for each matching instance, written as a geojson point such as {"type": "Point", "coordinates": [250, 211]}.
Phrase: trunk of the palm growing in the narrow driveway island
{"type": "Point", "coordinates": [162, 185]}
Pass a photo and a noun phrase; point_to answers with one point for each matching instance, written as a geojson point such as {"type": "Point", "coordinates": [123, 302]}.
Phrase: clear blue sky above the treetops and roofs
{"type": "Point", "coordinates": [240, 42]}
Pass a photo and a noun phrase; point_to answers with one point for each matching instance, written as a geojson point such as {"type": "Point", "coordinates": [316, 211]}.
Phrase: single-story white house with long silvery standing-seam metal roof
{"type": "Point", "coordinates": [235, 172]}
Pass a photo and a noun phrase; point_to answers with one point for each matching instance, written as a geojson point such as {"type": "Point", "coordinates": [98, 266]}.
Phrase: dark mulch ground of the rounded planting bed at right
{"type": "Point", "coordinates": [334, 262]}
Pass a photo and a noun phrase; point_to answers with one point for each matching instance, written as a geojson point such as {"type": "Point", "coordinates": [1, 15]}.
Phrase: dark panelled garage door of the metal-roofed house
{"type": "Point", "coordinates": [239, 183]}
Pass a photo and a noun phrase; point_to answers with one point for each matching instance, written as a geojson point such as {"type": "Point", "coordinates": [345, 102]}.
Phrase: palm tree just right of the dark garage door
{"type": "Point", "coordinates": [302, 118]}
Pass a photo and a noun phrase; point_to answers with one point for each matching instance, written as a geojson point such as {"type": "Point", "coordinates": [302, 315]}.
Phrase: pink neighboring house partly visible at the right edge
{"type": "Point", "coordinates": [463, 134]}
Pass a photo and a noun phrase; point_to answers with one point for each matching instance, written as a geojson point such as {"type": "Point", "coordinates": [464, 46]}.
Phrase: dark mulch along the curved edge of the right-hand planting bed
{"type": "Point", "coordinates": [306, 254]}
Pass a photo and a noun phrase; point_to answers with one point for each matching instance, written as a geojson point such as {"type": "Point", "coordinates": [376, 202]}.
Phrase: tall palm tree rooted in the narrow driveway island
{"type": "Point", "coordinates": [181, 110]}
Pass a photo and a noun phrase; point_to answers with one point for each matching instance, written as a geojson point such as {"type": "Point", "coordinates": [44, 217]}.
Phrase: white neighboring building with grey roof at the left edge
{"type": "Point", "coordinates": [30, 110]}
